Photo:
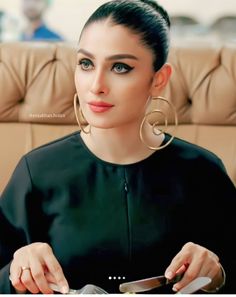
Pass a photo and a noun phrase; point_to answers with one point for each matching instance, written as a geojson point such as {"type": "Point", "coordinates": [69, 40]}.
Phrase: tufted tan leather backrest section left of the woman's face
{"type": "Point", "coordinates": [37, 82]}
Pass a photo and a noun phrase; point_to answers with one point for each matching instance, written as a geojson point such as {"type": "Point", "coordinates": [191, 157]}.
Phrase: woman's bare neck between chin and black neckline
{"type": "Point", "coordinates": [120, 145]}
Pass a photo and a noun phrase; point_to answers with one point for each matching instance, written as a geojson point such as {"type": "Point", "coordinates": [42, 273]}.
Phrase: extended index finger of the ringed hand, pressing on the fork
{"type": "Point", "coordinates": [54, 268]}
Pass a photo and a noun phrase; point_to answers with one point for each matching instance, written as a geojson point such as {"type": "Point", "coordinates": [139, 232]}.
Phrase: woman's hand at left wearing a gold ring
{"type": "Point", "coordinates": [33, 266]}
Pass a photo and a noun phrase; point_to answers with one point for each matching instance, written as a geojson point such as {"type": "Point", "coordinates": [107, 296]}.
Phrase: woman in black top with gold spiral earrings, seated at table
{"type": "Point", "coordinates": [103, 206]}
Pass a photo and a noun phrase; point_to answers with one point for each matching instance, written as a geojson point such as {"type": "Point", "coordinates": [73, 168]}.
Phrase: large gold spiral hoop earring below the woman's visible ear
{"type": "Point", "coordinates": [155, 123]}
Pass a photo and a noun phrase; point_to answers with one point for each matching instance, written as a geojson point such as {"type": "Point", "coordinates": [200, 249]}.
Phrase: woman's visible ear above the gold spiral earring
{"type": "Point", "coordinates": [161, 78]}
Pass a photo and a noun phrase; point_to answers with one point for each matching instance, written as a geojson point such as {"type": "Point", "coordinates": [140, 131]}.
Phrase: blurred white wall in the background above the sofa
{"type": "Point", "coordinates": [68, 16]}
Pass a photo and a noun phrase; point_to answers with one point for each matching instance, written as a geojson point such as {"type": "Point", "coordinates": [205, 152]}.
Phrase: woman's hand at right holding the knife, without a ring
{"type": "Point", "coordinates": [195, 260]}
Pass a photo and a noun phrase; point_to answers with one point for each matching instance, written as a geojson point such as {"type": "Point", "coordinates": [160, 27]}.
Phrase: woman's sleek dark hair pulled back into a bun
{"type": "Point", "coordinates": [143, 17]}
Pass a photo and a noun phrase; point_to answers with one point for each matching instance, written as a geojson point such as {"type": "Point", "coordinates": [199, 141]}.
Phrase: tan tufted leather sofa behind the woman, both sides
{"type": "Point", "coordinates": [37, 90]}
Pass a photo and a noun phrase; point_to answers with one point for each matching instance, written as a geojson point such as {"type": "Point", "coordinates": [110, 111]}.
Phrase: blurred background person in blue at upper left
{"type": "Point", "coordinates": [36, 28]}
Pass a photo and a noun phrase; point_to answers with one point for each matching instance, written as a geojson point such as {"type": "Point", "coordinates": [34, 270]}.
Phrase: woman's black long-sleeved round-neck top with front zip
{"type": "Point", "coordinates": [107, 221]}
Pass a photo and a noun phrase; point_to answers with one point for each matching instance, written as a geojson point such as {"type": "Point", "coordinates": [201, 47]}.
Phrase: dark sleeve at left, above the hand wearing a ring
{"type": "Point", "coordinates": [13, 220]}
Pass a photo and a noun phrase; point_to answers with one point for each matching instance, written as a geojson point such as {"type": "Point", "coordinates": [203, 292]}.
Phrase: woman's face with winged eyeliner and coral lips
{"type": "Point", "coordinates": [114, 75]}
